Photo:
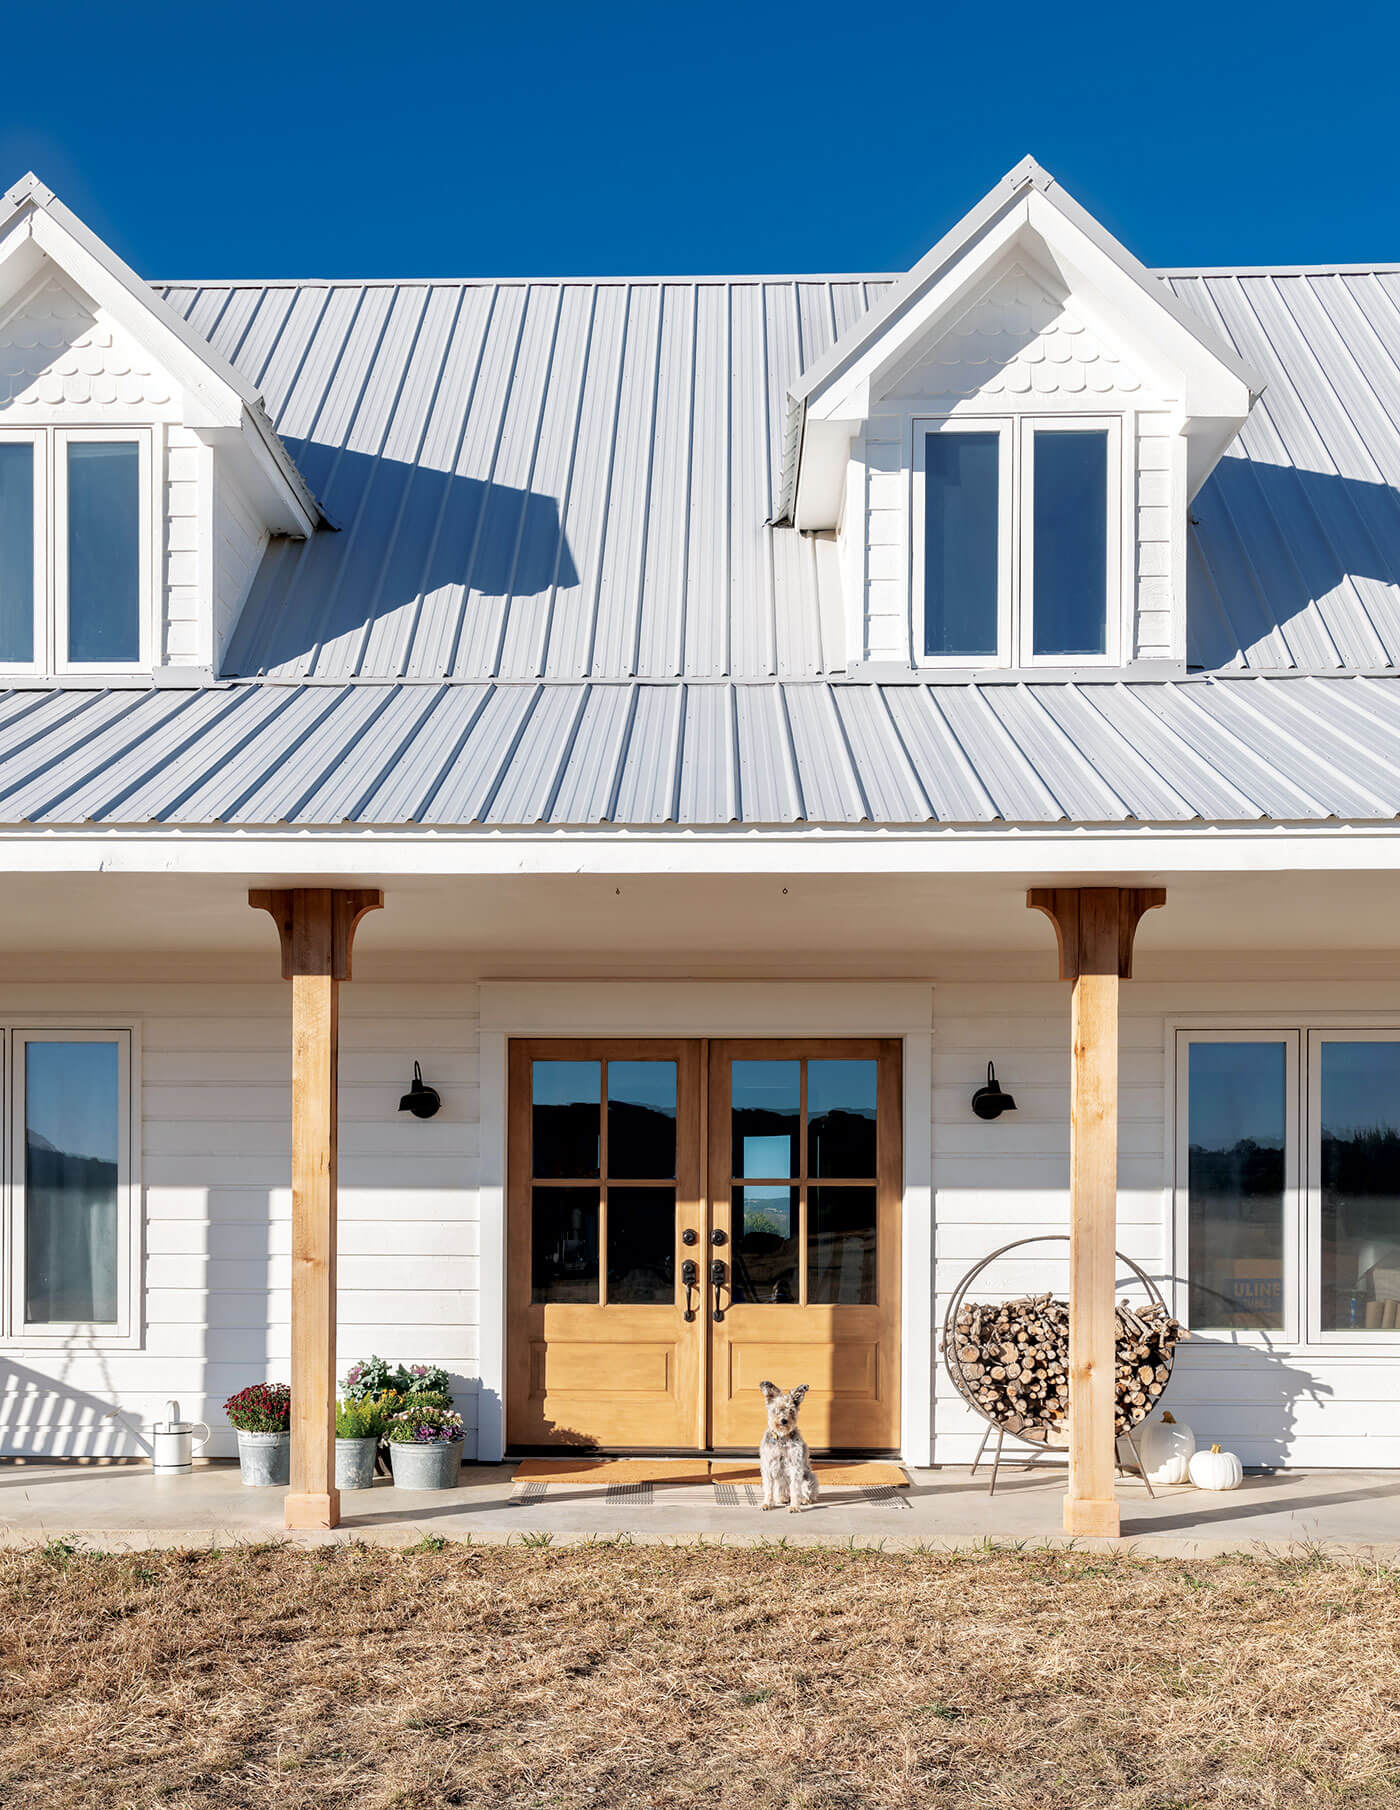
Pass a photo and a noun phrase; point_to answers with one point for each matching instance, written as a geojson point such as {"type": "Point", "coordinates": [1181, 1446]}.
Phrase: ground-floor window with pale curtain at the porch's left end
{"type": "Point", "coordinates": [72, 1226]}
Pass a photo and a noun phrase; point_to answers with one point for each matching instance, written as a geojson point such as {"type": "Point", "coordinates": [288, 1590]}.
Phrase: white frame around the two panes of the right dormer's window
{"type": "Point", "coordinates": [1015, 607]}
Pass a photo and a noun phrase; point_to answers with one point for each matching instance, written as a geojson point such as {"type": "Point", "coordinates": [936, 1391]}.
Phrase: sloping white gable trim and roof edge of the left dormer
{"type": "Point", "coordinates": [37, 229]}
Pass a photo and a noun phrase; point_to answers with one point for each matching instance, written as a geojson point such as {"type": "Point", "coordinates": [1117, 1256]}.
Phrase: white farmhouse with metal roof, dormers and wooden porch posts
{"type": "Point", "coordinates": [678, 692]}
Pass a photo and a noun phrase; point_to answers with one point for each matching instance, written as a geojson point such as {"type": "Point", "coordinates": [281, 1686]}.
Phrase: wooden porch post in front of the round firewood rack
{"type": "Point", "coordinates": [1097, 929]}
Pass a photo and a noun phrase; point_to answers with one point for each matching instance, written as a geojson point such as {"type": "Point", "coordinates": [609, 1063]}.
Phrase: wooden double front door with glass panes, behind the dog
{"type": "Point", "coordinates": [689, 1219]}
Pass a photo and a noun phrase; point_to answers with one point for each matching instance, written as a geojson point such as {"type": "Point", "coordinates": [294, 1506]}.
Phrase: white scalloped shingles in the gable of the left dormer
{"type": "Point", "coordinates": [59, 352]}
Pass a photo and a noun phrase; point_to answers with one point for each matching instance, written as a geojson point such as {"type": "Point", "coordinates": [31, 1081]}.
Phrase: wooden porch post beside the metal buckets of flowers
{"type": "Point", "coordinates": [318, 928]}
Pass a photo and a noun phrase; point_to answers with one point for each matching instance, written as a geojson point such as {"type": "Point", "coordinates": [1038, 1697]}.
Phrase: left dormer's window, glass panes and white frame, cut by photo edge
{"type": "Point", "coordinates": [75, 549]}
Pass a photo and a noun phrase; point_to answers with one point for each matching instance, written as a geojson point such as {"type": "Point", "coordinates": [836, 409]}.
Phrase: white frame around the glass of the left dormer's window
{"type": "Point", "coordinates": [52, 613]}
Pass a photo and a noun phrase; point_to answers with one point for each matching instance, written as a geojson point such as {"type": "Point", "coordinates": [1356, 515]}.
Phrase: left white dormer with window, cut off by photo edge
{"type": "Point", "coordinates": [140, 477]}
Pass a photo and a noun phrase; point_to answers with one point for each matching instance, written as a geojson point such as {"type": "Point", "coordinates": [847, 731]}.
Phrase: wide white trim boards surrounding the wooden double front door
{"type": "Point", "coordinates": [716, 1009]}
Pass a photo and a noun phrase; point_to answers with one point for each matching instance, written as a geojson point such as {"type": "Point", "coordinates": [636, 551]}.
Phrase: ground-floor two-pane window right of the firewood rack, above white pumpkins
{"type": "Point", "coordinates": [1289, 1183]}
